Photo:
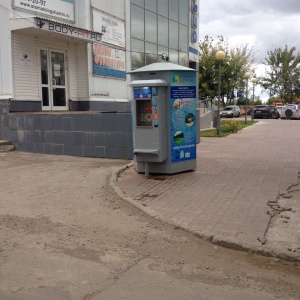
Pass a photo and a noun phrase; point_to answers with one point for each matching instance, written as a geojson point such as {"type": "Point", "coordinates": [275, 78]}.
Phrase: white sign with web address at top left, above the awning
{"type": "Point", "coordinates": [62, 9]}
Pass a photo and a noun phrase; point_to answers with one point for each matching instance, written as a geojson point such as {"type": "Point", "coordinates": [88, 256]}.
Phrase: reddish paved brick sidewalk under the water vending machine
{"type": "Point", "coordinates": [228, 198]}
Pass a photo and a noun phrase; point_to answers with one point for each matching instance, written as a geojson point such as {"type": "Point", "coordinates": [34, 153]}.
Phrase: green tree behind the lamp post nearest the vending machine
{"type": "Point", "coordinates": [237, 61]}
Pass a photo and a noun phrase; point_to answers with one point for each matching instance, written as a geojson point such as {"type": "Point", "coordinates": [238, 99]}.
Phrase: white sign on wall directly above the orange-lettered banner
{"type": "Point", "coordinates": [113, 30]}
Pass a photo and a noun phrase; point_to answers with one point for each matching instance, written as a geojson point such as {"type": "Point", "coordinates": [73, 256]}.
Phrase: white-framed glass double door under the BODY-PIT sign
{"type": "Point", "coordinates": [53, 80]}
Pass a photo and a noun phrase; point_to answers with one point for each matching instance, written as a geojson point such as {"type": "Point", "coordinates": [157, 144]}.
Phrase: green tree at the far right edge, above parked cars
{"type": "Point", "coordinates": [282, 75]}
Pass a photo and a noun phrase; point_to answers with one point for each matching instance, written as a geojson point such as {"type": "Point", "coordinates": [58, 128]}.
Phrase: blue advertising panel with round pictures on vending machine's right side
{"type": "Point", "coordinates": [183, 115]}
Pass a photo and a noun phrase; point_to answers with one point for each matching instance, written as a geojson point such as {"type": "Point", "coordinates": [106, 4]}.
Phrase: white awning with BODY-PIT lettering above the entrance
{"type": "Point", "coordinates": [37, 25]}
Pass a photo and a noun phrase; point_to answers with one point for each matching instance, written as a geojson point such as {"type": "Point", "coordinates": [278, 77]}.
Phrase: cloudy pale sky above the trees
{"type": "Point", "coordinates": [262, 24]}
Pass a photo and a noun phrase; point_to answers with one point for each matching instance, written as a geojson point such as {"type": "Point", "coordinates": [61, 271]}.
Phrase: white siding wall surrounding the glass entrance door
{"type": "Point", "coordinates": [27, 79]}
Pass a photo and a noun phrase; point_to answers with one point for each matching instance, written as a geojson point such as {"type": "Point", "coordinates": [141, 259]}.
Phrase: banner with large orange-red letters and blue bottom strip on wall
{"type": "Point", "coordinates": [108, 62]}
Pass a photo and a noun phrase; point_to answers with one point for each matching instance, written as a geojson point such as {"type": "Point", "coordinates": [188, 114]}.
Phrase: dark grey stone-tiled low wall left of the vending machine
{"type": "Point", "coordinates": [90, 134]}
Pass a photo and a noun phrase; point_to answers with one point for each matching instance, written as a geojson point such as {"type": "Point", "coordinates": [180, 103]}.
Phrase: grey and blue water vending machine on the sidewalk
{"type": "Point", "coordinates": [164, 118]}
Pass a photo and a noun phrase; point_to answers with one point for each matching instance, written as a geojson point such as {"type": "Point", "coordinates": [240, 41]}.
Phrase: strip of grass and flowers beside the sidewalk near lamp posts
{"type": "Point", "coordinates": [227, 127]}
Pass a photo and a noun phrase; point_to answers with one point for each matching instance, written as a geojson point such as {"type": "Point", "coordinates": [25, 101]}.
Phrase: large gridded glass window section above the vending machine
{"type": "Point", "coordinates": [157, 27]}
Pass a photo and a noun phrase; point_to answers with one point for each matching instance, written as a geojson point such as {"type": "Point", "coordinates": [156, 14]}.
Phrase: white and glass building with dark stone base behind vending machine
{"type": "Point", "coordinates": [64, 87]}
